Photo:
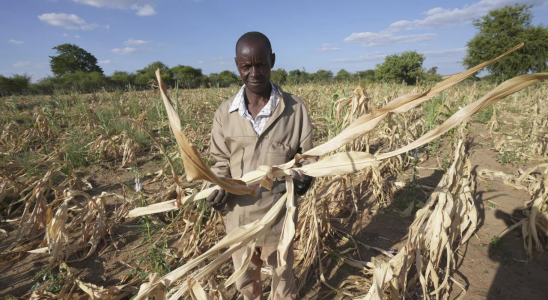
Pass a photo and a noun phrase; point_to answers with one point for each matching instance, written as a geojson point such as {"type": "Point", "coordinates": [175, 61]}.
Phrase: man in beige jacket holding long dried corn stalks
{"type": "Point", "coordinates": [261, 125]}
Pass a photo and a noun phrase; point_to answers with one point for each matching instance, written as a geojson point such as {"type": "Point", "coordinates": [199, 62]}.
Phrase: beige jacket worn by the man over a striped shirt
{"type": "Point", "coordinates": [236, 149]}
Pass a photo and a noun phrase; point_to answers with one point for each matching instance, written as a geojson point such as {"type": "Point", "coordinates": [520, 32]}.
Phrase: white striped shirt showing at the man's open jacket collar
{"type": "Point", "coordinates": [258, 124]}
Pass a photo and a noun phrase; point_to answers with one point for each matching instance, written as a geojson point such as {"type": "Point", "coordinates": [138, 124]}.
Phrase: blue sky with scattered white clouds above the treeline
{"type": "Point", "coordinates": [353, 35]}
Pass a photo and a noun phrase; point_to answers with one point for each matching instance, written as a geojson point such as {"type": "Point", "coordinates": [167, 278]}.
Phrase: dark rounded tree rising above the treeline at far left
{"type": "Point", "coordinates": [71, 58]}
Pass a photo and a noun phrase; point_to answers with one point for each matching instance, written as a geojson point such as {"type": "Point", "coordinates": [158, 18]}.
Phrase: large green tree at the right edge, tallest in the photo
{"type": "Point", "coordinates": [502, 29]}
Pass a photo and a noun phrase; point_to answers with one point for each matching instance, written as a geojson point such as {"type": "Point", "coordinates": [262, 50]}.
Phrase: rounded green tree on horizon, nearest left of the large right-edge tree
{"type": "Point", "coordinates": [406, 66]}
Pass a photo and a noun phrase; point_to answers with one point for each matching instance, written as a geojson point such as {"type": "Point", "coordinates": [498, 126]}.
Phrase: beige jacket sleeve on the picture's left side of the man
{"type": "Point", "coordinates": [219, 151]}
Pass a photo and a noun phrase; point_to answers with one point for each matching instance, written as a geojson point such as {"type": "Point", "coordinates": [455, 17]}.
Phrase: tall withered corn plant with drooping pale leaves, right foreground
{"type": "Point", "coordinates": [423, 267]}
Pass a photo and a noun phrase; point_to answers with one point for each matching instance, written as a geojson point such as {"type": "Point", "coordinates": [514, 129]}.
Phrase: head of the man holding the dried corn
{"type": "Point", "coordinates": [254, 60]}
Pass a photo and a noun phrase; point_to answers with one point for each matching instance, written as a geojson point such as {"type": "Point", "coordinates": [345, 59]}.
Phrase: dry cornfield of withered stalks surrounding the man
{"type": "Point", "coordinates": [95, 201]}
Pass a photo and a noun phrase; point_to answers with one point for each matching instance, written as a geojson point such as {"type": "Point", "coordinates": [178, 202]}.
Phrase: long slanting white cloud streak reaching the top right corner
{"type": "Point", "coordinates": [440, 17]}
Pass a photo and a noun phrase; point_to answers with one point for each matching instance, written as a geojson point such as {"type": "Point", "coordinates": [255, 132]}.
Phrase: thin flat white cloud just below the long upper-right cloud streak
{"type": "Point", "coordinates": [370, 39]}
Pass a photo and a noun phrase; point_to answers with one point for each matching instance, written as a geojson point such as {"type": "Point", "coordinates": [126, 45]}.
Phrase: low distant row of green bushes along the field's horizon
{"type": "Point", "coordinates": [184, 77]}
